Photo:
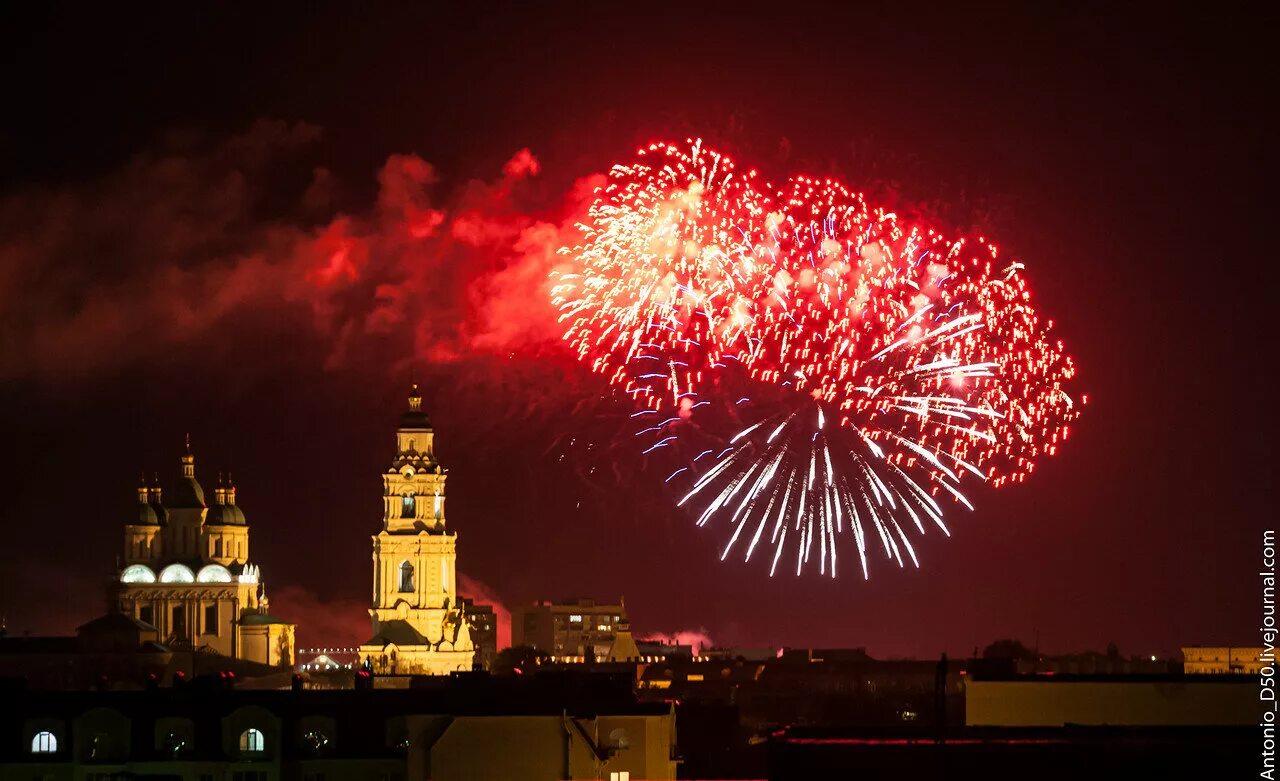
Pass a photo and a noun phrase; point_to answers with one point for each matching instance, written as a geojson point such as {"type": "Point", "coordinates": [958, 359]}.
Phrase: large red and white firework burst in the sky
{"type": "Point", "coordinates": [835, 371]}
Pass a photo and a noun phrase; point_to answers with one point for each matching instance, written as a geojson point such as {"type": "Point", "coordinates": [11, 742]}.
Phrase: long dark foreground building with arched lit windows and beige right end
{"type": "Point", "coordinates": [465, 728]}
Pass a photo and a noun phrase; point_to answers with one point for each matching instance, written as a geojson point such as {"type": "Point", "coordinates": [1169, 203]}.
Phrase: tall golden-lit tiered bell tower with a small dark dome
{"type": "Point", "coordinates": [419, 624]}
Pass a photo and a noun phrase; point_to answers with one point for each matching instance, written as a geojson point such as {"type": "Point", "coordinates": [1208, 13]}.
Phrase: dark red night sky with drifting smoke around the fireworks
{"type": "Point", "coordinates": [254, 225]}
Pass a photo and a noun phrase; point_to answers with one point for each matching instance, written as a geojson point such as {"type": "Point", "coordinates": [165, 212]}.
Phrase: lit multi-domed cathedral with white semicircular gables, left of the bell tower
{"type": "Point", "coordinates": [186, 572]}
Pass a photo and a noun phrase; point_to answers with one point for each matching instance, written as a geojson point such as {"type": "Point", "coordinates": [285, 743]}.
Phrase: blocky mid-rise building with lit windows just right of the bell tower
{"type": "Point", "coordinates": [568, 629]}
